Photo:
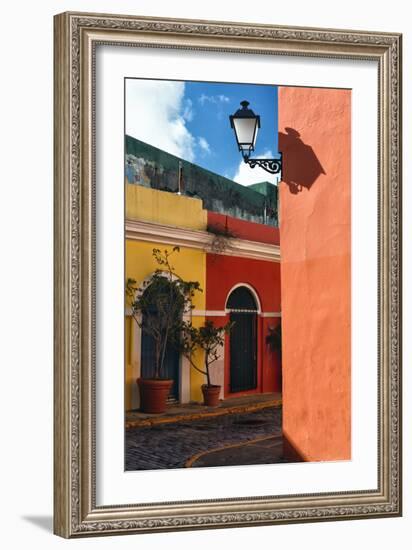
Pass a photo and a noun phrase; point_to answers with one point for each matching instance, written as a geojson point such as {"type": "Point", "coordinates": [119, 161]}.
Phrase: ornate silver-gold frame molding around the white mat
{"type": "Point", "coordinates": [75, 510]}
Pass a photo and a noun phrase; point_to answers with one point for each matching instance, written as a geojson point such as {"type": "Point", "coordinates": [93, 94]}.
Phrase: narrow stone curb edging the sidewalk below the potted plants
{"type": "Point", "coordinates": [130, 424]}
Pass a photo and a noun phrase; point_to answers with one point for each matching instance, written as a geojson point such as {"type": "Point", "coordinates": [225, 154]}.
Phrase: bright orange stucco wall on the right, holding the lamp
{"type": "Point", "coordinates": [314, 136]}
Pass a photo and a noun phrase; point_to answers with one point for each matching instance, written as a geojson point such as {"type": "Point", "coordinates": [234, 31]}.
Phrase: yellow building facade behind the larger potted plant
{"type": "Point", "coordinates": [156, 219]}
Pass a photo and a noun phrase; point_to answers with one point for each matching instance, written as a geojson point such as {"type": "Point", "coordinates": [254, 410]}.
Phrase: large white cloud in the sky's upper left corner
{"type": "Point", "coordinates": [156, 112]}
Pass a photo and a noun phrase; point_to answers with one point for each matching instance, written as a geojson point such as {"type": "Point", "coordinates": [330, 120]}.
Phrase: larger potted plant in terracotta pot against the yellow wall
{"type": "Point", "coordinates": [157, 307]}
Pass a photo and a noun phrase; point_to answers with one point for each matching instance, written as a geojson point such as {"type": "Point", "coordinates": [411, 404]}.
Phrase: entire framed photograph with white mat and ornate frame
{"type": "Point", "coordinates": [227, 274]}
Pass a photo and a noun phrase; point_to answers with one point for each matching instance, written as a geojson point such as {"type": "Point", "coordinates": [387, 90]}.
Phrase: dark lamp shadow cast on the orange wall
{"type": "Point", "coordinates": [301, 167]}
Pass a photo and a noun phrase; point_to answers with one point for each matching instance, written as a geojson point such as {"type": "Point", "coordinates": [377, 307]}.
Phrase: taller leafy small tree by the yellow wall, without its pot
{"type": "Point", "coordinates": [158, 306]}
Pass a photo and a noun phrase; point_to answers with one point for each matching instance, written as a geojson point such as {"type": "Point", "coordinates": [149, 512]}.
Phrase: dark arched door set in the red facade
{"type": "Point", "coordinates": [243, 340]}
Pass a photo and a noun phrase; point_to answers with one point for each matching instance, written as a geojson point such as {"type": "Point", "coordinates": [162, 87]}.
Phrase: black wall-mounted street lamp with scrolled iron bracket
{"type": "Point", "coordinates": [246, 124]}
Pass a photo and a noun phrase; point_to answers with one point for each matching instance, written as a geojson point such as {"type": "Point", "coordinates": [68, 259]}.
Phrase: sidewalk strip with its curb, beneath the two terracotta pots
{"type": "Point", "coordinates": [196, 411]}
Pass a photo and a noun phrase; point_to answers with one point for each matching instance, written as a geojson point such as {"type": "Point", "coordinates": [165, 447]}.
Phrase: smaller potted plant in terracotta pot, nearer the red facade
{"type": "Point", "coordinates": [207, 338]}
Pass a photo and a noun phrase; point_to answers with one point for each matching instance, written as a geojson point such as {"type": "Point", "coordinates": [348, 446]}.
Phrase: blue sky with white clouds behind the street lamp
{"type": "Point", "coordinates": [191, 120]}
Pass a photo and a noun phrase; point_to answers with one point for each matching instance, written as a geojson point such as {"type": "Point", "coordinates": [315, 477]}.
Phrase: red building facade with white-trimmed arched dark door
{"type": "Point", "coordinates": [246, 291]}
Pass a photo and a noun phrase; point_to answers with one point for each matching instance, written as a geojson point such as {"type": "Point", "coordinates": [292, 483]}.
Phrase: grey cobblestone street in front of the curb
{"type": "Point", "coordinates": [176, 445]}
